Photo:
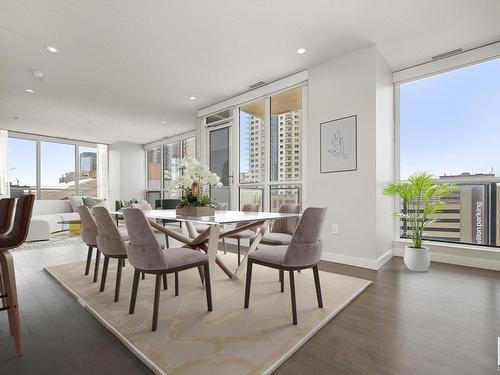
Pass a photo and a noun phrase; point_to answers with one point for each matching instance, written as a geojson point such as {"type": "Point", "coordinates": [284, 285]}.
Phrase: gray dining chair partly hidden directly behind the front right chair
{"type": "Point", "coordinates": [282, 231]}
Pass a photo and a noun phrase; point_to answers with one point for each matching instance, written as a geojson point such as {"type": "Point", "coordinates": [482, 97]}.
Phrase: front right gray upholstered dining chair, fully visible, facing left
{"type": "Point", "coordinates": [303, 252]}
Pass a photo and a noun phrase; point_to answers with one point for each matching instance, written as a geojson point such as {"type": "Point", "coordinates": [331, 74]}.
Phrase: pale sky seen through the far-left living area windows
{"type": "Point", "coordinates": [57, 159]}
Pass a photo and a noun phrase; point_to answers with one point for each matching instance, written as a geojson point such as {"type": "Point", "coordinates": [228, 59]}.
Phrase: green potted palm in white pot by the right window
{"type": "Point", "coordinates": [421, 196]}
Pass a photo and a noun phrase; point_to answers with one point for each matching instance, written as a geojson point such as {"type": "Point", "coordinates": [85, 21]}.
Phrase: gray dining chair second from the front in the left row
{"type": "Point", "coordinates": [111, 244]}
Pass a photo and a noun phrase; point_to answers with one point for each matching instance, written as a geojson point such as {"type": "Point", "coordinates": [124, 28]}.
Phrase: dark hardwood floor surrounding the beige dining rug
{"type": "Point", "coordinates": [445, 321]}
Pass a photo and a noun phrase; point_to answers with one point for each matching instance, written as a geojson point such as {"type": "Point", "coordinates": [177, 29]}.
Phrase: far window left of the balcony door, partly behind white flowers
{"type": "Point", "coordinates": [162, 167]}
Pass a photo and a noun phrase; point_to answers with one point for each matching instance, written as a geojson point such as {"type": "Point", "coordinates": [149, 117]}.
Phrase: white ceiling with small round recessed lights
{"type": "Point", "coordinates": [126, 66]}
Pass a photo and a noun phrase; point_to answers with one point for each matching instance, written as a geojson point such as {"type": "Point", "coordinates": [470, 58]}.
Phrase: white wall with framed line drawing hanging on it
{"type": "Point", "coordinates": [357, 84]}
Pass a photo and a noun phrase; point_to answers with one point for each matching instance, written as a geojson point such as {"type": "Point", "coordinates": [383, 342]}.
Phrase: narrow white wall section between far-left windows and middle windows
{"type": "Point", "coordinates": [126, 172]}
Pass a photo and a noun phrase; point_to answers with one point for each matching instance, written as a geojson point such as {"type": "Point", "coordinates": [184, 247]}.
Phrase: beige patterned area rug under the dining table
{"type": "Point", "coordinates": [228, 340]}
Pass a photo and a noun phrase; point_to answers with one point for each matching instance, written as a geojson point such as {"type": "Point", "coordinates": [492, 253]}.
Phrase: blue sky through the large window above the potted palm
{"type": "Point", "coordinates": [450, 122]}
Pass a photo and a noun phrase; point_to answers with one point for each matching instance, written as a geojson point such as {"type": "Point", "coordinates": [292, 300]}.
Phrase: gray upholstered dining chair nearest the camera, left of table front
{"type": "Point", "coordinates": [146, 255]}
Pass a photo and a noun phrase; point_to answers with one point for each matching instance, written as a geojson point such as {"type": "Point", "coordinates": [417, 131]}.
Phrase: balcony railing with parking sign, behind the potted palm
{"type": "Point", "coordinates": [471, 215]}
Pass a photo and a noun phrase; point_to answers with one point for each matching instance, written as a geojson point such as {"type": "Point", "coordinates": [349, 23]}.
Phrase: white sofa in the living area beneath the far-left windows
{"type": "Point", "coordinates": [46, 217]}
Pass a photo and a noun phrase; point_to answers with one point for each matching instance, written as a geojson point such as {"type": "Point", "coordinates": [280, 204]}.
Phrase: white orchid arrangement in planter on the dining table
{"type": "Point", "coordinates": [193, 180]}
